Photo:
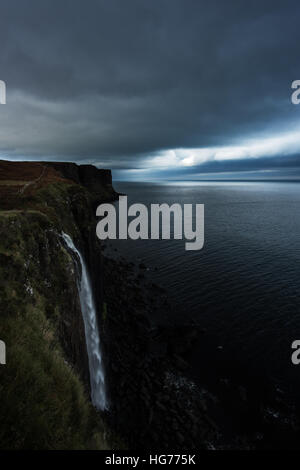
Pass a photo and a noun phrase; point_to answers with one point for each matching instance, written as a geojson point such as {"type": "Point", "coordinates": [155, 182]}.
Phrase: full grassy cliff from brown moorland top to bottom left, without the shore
{"type": "Point", "coordinates": [41, 320]}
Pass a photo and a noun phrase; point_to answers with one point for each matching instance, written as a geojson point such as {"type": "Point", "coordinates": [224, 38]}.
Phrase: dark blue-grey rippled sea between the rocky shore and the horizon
{"type": "Point", "coordinates": [243, 286]}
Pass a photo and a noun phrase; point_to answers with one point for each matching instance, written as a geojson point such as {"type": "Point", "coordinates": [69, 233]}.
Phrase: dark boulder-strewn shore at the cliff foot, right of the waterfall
{"type": "Point", "coordinates": [152, 404]}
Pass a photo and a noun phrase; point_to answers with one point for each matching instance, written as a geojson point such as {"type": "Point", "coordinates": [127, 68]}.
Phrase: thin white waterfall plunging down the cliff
{"type": "Point", "coordinates": [88, 309]}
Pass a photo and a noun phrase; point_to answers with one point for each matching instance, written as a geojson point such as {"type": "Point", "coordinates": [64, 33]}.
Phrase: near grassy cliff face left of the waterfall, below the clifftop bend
{"type": "Point", "coordinates": [44, 391]}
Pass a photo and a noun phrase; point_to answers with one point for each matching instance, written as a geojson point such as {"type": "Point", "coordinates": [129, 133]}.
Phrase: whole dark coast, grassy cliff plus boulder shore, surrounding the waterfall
{"type": "Point", "coordinates": [44, 388]}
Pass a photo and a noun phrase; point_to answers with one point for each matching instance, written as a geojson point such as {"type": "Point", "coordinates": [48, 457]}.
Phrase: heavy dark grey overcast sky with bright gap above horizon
{"type": "Point", "coordinates": [153, 88]}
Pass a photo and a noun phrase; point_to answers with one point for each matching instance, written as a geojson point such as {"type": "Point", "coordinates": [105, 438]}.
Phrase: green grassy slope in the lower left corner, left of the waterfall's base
{"type": "Point", "coordinates": [43, 404]}
